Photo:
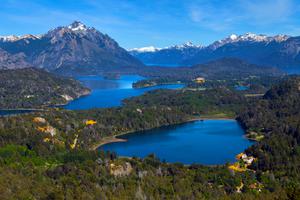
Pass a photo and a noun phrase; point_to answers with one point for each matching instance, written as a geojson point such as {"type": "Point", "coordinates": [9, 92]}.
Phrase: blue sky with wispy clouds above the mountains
{"type": "Point", "coordinates": [160, 23]}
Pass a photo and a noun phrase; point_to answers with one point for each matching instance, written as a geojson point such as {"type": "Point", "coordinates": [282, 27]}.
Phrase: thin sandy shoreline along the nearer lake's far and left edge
{"type": "Point", "coordinates": [114, 138]}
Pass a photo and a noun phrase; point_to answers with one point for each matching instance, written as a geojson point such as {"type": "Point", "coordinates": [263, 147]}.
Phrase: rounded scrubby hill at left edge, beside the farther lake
{"type": "Point", "coordinates": [31, 88]}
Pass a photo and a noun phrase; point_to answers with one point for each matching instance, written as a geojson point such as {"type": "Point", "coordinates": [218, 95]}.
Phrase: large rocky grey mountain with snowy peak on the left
{"type": "Point", "coordinates": [75, 47]}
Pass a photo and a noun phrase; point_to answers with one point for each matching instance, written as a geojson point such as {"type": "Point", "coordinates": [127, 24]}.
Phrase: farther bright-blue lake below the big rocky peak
{"type": "Point", "coordinates": [110, 93]}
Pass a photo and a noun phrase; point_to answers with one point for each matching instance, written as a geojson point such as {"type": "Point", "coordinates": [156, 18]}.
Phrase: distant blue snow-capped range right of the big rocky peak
{"type": "Point", "coordinates": [280, 51]}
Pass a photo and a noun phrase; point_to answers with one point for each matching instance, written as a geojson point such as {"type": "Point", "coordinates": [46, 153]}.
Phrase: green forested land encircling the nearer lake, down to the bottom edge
{"type": "Point", "coordinates": [51, 155]}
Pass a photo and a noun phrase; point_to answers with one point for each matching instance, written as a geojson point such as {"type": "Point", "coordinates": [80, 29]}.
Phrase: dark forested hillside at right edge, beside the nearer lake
{"type": "Point", "coordinates": [276, 117]}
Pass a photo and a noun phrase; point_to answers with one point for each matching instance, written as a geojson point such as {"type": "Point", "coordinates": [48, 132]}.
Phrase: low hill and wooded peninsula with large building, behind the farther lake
{"type": "Point", "coordinates": [226, 72]}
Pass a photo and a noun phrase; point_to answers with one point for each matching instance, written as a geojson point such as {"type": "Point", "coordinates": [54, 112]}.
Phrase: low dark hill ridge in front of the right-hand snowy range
{"type": "Point", "coordinates": [219, 69]}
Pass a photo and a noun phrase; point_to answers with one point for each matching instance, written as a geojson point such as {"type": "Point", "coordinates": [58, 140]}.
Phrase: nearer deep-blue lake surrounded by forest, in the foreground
{"type": "Point", "coordinates": [204, 142]}
